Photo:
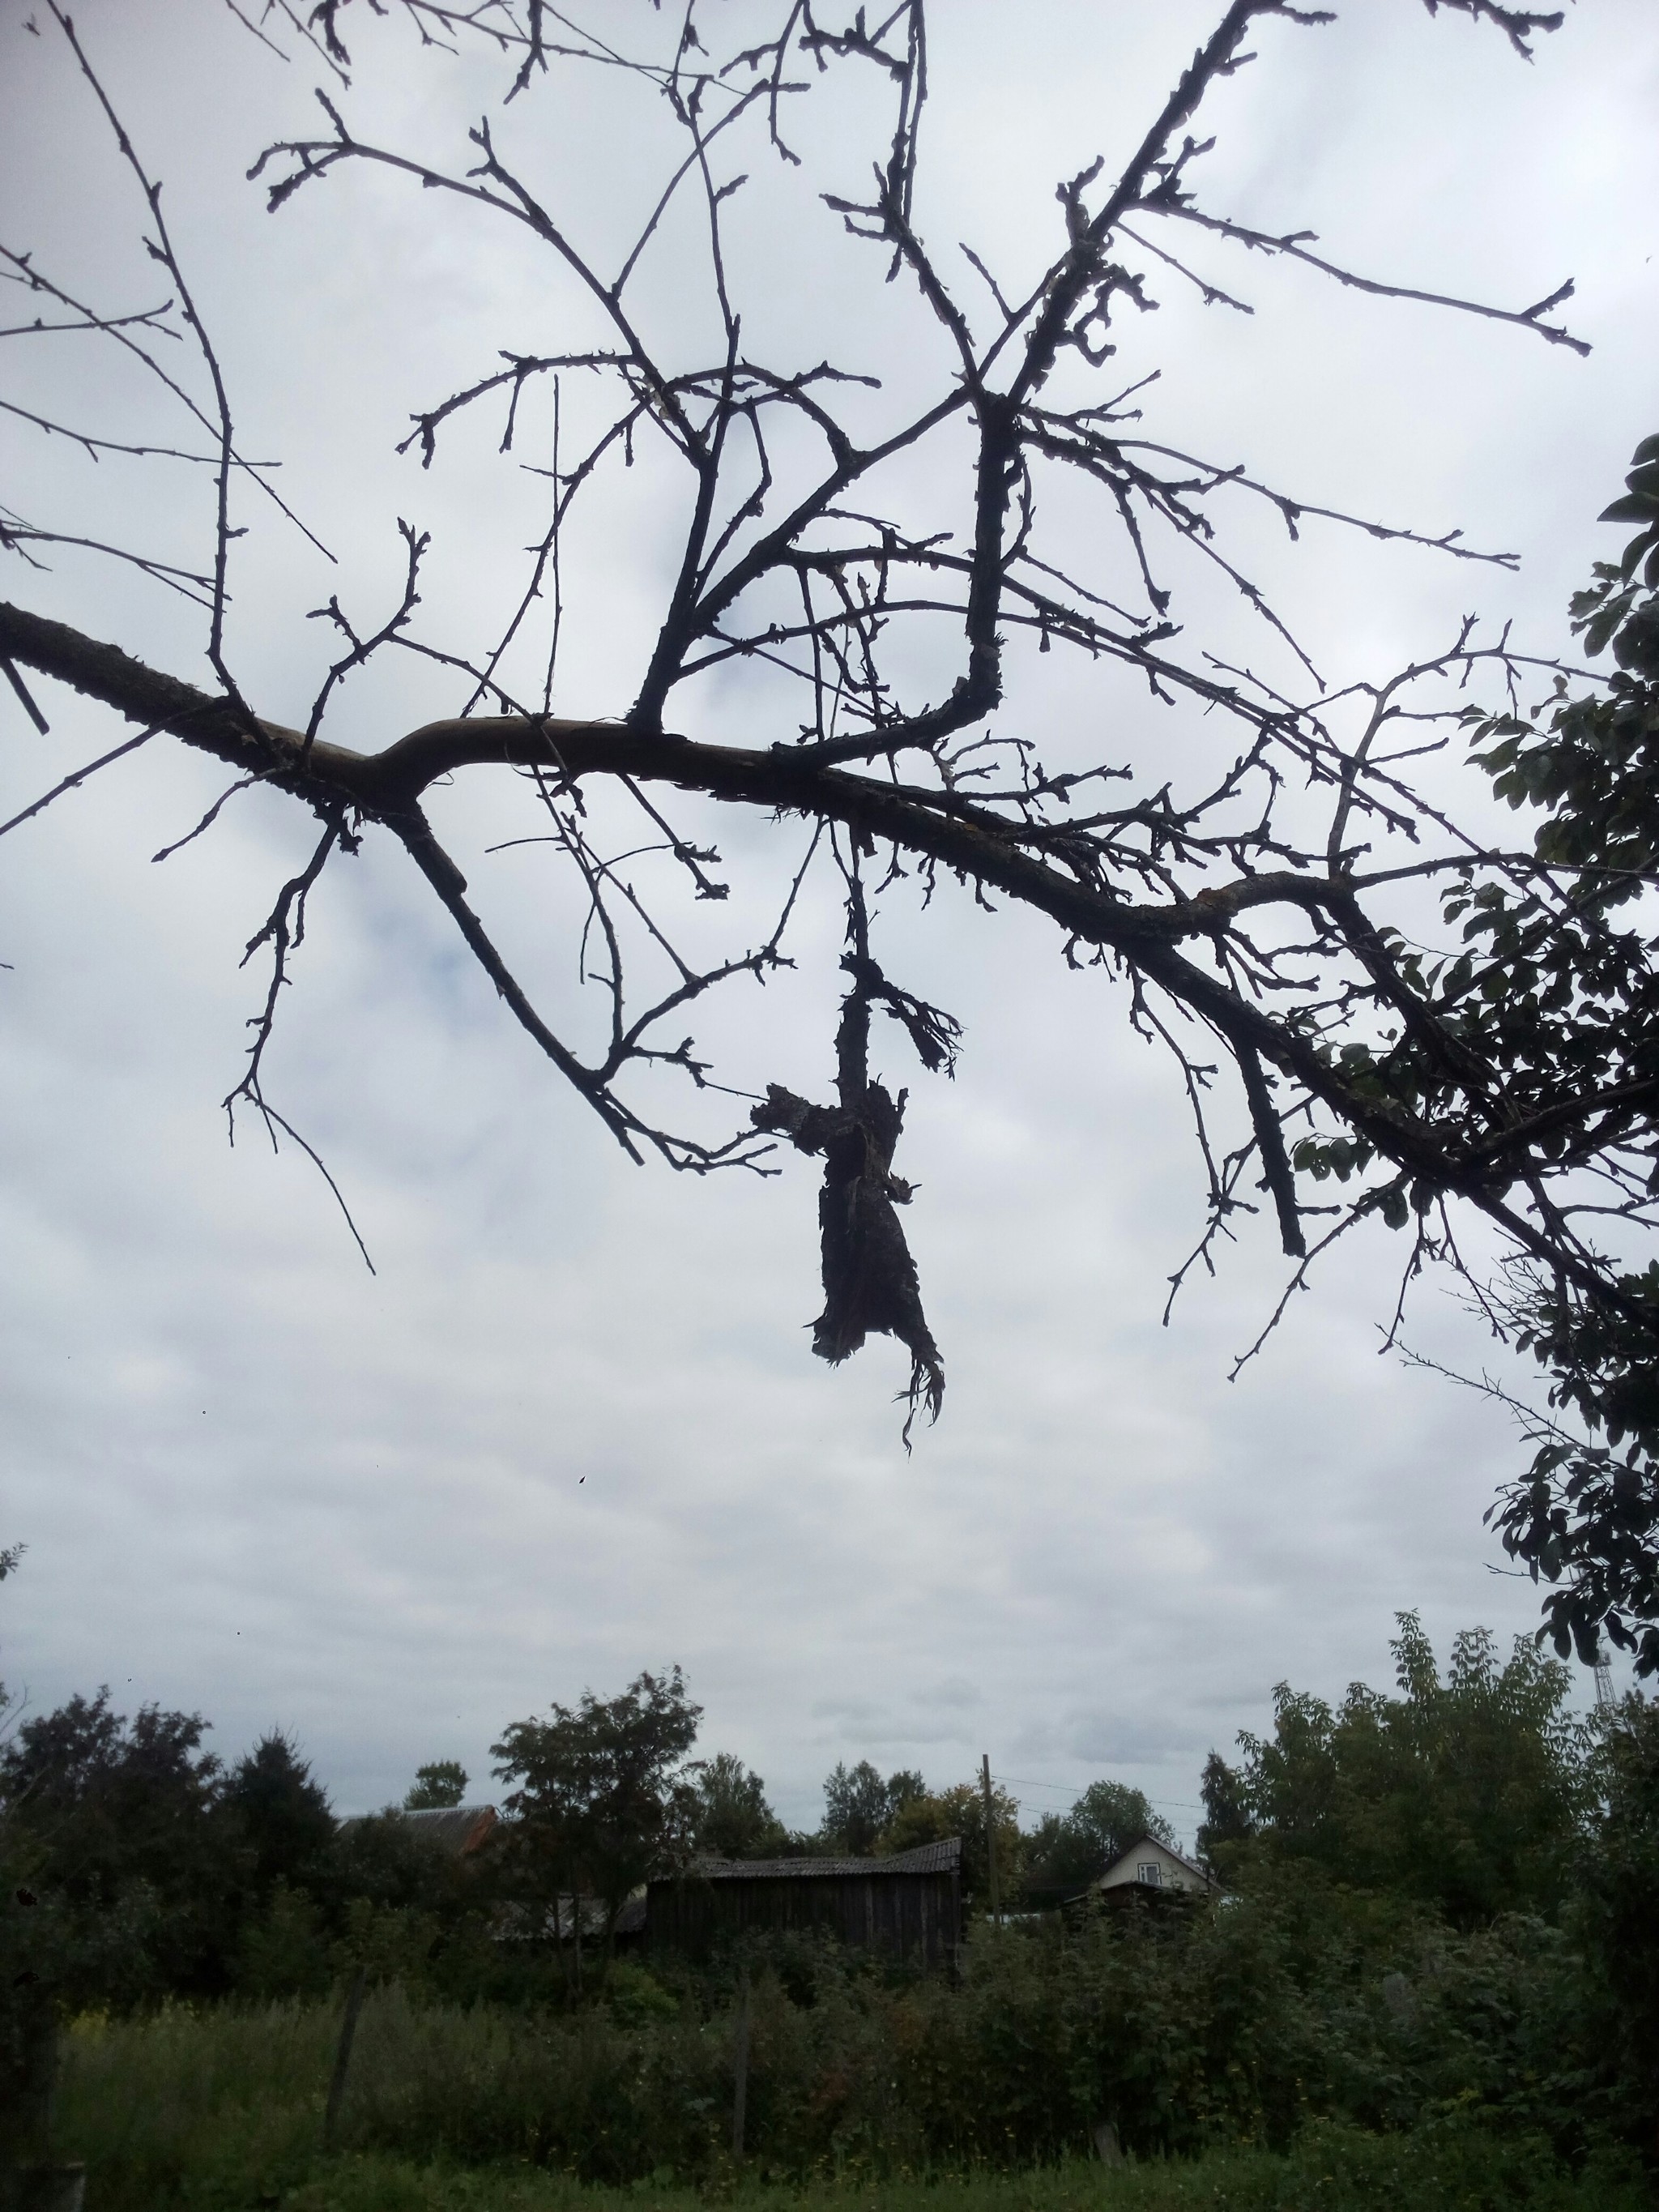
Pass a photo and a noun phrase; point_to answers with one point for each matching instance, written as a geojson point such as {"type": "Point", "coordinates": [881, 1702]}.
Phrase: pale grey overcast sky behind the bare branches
{"type": "Point", "coordinates": [572, 1426]}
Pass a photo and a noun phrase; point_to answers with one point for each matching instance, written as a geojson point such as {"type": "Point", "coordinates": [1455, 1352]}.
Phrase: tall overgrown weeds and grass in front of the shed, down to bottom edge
{"type": "Point", "coordinates": [1227, 2087]}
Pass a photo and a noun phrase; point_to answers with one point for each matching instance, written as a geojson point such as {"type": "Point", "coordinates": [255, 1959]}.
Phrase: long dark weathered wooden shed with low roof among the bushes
{"type": "Point", "coordinates": [908, 1908]}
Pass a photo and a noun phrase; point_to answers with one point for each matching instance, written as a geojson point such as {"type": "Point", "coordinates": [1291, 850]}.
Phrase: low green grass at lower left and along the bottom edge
{"type": "Point", "coordinates": [225, 2114]}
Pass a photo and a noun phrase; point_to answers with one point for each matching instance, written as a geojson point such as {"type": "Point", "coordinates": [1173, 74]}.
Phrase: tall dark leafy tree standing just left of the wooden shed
{"type": "Point", "coordinates": [603, 1795]}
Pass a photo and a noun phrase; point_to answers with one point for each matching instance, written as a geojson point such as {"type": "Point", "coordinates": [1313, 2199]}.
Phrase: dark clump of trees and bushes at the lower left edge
{"type": "Point", "coordinates": [156, 1875]}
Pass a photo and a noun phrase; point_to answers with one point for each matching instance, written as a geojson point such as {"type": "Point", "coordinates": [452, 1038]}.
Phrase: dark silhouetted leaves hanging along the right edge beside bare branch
{"type": "Point", "coordinates": [1558, 988]}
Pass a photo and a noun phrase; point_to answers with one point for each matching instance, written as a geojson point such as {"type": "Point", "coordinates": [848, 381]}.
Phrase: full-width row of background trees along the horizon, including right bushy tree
{"type": "Point", "coordinates": [152, 1868]}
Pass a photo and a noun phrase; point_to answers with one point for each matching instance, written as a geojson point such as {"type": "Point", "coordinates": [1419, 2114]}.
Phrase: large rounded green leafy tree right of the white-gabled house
{"type": "Point", "coordinates": [1468, 1793]}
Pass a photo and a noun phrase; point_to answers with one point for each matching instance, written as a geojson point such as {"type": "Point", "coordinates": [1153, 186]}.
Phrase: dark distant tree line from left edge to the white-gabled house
{"type": "Point", "coordinates": [140, 1866]}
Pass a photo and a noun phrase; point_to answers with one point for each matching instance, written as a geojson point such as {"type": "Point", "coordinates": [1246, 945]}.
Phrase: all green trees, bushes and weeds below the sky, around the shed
{"type": "Point", "coordinates": [1432, 1976]}
